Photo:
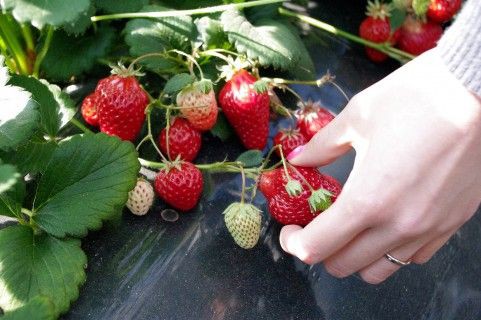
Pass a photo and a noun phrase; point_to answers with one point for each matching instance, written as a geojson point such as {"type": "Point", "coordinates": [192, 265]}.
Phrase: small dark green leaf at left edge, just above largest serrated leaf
{"type": "Point", "coordinates": [31, 157]}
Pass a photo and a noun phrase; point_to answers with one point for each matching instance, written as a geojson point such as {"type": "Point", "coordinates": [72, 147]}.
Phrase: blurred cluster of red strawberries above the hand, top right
{"type": "Point", "coordinates": [418, 33]}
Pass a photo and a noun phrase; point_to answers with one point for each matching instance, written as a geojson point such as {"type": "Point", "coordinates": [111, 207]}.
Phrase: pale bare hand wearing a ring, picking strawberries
{"type": "Point", "coordinates": [416, 177]}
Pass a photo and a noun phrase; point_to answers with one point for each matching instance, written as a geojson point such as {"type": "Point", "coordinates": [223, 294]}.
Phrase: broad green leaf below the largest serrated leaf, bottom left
{"type": "Point", "coordinates": [35, 265]}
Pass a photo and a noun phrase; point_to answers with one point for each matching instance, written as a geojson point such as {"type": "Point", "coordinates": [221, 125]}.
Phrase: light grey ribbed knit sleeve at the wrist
{"type": "Point", "coordinates": [460, 46]}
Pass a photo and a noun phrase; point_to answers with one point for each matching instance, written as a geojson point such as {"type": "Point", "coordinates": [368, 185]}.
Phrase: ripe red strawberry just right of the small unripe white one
{"type": "Point", "coordinates": [180, 185]}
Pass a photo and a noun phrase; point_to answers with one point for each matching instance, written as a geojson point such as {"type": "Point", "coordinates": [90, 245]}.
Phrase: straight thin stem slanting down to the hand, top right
{"type": "Point", "coordinates": [383, 47]}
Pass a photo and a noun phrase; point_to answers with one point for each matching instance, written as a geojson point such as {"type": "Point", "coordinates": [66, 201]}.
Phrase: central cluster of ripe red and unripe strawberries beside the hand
{"type": "Point", "coordinates": [295, 195]}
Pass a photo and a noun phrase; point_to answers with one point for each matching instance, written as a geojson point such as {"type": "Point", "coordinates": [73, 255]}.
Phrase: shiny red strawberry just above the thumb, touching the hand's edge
{"type": "Point", "coordinates": [312, 118]}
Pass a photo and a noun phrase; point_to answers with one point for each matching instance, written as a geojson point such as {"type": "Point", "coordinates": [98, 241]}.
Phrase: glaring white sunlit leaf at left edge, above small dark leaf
{"type": "Point", "coordinates": [19, 117]}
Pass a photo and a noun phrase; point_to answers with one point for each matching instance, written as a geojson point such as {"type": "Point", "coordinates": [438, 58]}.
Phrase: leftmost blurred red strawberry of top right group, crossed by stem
{"type": "Point", "coordinates": [376, 28]}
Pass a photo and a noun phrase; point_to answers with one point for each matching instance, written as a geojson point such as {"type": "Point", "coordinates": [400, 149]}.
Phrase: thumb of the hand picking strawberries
{"type": "Point", "coordinates": [327, 145]}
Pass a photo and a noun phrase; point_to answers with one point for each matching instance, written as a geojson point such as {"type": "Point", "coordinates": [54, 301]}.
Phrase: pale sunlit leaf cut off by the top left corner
{"type": "Point", "coordinates": [46, 12]}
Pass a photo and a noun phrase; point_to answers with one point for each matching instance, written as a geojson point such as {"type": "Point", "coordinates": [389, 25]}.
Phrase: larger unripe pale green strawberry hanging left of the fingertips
{"type": "Point", "coordinates": [244, 223]}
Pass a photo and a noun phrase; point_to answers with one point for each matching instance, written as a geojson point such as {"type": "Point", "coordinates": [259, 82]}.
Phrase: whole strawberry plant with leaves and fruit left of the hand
{"type": "Point", "coordinates": [69, 165]}
